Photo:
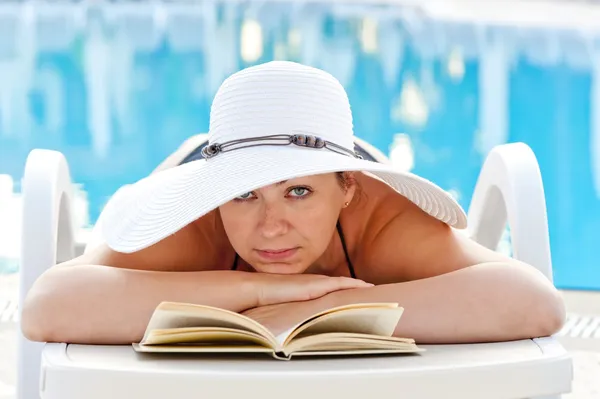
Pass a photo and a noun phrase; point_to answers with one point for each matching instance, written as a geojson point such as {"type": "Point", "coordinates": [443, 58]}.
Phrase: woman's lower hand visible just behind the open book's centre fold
{"type": "Point", "coordinates": [283, 316]}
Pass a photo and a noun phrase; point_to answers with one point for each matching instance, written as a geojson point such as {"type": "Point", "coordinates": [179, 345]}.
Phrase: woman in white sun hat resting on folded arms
{"type": "Point", "coordinates": [279, 216]}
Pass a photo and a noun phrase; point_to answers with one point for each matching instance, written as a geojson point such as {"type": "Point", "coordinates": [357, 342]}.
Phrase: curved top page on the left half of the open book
{"type": "Point", "coordinates": [169, 315]}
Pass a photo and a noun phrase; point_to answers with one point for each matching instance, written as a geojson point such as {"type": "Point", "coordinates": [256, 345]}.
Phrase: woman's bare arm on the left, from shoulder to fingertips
{"type": "Point", "coordinates": [105, 297]}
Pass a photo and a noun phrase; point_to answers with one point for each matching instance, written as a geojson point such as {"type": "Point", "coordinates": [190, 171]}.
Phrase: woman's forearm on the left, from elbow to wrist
{"type": "Point", "coordinates": [105, 305]}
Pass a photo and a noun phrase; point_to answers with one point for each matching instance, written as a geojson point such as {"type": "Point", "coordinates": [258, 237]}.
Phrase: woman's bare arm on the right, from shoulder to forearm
{"type": "Point", "coordinates": [453, 289]}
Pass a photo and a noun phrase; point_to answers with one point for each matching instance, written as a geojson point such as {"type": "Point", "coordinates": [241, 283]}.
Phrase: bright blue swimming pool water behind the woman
{"type": "Point", "coordinates": [117, 95]}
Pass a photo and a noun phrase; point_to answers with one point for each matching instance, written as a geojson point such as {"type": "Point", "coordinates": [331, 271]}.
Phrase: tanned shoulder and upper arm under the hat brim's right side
{"type": "Point", "coordinates": [400, 242]}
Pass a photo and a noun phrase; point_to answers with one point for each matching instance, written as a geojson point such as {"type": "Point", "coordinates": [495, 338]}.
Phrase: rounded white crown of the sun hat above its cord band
{"type": "Point", "coordinates": [281, 97]}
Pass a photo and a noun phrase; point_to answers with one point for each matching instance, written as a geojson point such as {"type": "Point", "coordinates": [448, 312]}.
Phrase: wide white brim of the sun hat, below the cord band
{"type": "Point", "coordinates": [163, 203]}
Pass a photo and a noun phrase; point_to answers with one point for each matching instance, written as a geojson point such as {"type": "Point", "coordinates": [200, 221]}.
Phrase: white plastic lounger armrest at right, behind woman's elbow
{"type": "Point", "coordinates": [510, 188]}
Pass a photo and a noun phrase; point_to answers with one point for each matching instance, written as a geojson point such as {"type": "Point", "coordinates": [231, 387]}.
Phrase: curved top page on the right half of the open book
{"type": "Point", "coordinates": [372, 320]}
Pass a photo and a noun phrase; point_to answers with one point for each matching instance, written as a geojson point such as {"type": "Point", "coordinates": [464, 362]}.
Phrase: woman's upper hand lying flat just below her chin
{"type": "Point", "coordinates": [282, 288]}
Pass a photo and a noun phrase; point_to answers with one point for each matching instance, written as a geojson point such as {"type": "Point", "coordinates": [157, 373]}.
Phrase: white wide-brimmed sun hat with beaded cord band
{"type": "Point", "coordinates": [268, 123]}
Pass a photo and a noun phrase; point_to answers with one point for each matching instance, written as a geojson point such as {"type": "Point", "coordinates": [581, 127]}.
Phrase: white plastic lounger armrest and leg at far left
{"type": "Point", "coordinates": [47, 238]}
